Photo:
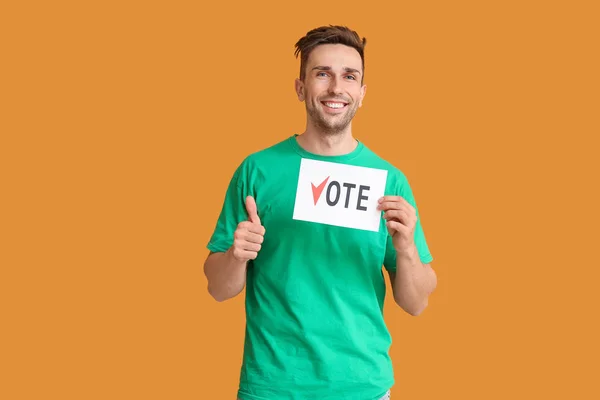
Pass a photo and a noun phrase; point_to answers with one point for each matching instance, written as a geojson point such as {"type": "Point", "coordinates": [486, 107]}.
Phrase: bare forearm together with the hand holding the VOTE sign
{"type": "Point", "coordinates": [412, 282]}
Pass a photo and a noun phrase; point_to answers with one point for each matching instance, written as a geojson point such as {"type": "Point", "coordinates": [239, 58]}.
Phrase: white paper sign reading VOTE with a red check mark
{"type": "Point", "coordinates": [339, 194]}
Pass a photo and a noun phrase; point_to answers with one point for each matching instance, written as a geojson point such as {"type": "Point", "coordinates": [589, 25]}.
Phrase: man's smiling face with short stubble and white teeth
{"type": "Point", "coordinates": [332, 87]}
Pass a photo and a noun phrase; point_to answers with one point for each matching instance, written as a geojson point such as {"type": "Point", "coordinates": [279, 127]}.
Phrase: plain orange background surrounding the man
{"type": "Point", "coordinates": [121, 123]}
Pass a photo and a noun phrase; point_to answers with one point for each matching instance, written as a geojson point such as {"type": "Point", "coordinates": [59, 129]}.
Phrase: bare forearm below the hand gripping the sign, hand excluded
{"type": "Point", "coordinates": [414, 281]}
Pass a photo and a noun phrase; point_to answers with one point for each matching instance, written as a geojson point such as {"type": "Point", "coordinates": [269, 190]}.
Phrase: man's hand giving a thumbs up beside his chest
{"type": "Point", "coordinates": [249, 235]}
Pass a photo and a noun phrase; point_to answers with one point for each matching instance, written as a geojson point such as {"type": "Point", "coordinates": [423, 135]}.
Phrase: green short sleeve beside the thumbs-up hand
{"type": "Point", "coordinates": [233, 211]}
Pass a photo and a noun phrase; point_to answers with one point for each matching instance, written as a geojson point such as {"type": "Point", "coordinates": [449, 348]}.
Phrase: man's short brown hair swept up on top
{"type": "Point", "coordinates": [332, 34]}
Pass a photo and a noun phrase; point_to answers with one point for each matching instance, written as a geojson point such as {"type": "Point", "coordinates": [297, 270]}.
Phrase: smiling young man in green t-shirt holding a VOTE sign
{"type": "Point", "coordinates": [306, 226]}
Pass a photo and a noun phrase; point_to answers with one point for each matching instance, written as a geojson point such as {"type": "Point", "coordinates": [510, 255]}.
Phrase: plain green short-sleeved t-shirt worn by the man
{"type": "Point", "coordinates": [315, 293]}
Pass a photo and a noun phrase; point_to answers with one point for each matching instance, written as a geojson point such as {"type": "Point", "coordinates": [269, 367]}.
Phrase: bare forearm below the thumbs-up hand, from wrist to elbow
{"type": "Point", "coordinates": [226, 275]}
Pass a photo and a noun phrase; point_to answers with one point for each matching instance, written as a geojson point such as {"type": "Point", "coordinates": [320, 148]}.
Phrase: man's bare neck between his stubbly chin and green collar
{"type": "Point", "coordinates": [327, 144]}
